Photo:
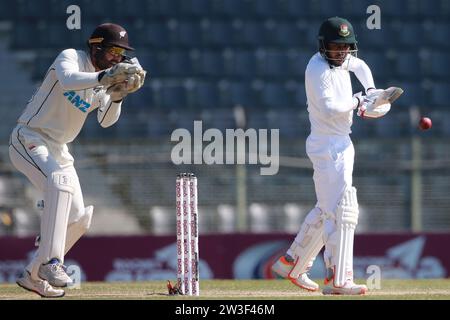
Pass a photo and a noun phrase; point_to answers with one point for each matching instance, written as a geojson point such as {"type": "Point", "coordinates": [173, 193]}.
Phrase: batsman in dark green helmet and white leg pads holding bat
{"type": "Point", "coordinates": [331, 104]}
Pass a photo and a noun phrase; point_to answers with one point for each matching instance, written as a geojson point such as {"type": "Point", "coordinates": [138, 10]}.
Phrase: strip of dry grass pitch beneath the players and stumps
{"type": "Point", "coordinates": [239, 289]}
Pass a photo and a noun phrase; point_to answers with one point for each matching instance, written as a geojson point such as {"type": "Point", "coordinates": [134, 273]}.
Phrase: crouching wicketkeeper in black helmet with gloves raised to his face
{"type": "Point", "coordinates": [77, 83]}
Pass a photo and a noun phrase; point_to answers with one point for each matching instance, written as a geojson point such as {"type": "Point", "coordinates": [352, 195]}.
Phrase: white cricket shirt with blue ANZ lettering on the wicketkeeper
{"type": "Point", "coordinates": [69, 92]}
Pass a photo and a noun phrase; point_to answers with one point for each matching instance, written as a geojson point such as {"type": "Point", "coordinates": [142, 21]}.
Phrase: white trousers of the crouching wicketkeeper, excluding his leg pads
{"type": "Point", "coordinates": [38, 157]}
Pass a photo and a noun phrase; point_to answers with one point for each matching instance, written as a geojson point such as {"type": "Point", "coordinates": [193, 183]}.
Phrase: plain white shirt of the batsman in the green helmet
{"type": "Point", "coordinates": [329, 93]}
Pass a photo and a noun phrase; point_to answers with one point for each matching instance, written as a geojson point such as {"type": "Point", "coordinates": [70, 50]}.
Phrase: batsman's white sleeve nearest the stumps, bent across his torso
{"type": "Point", "coordinates": [321, 89]}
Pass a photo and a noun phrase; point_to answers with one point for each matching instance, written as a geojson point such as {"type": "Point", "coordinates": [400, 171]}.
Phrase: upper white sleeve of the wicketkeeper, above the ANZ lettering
{"type": "Point", "coordinates": [68, 72]}
